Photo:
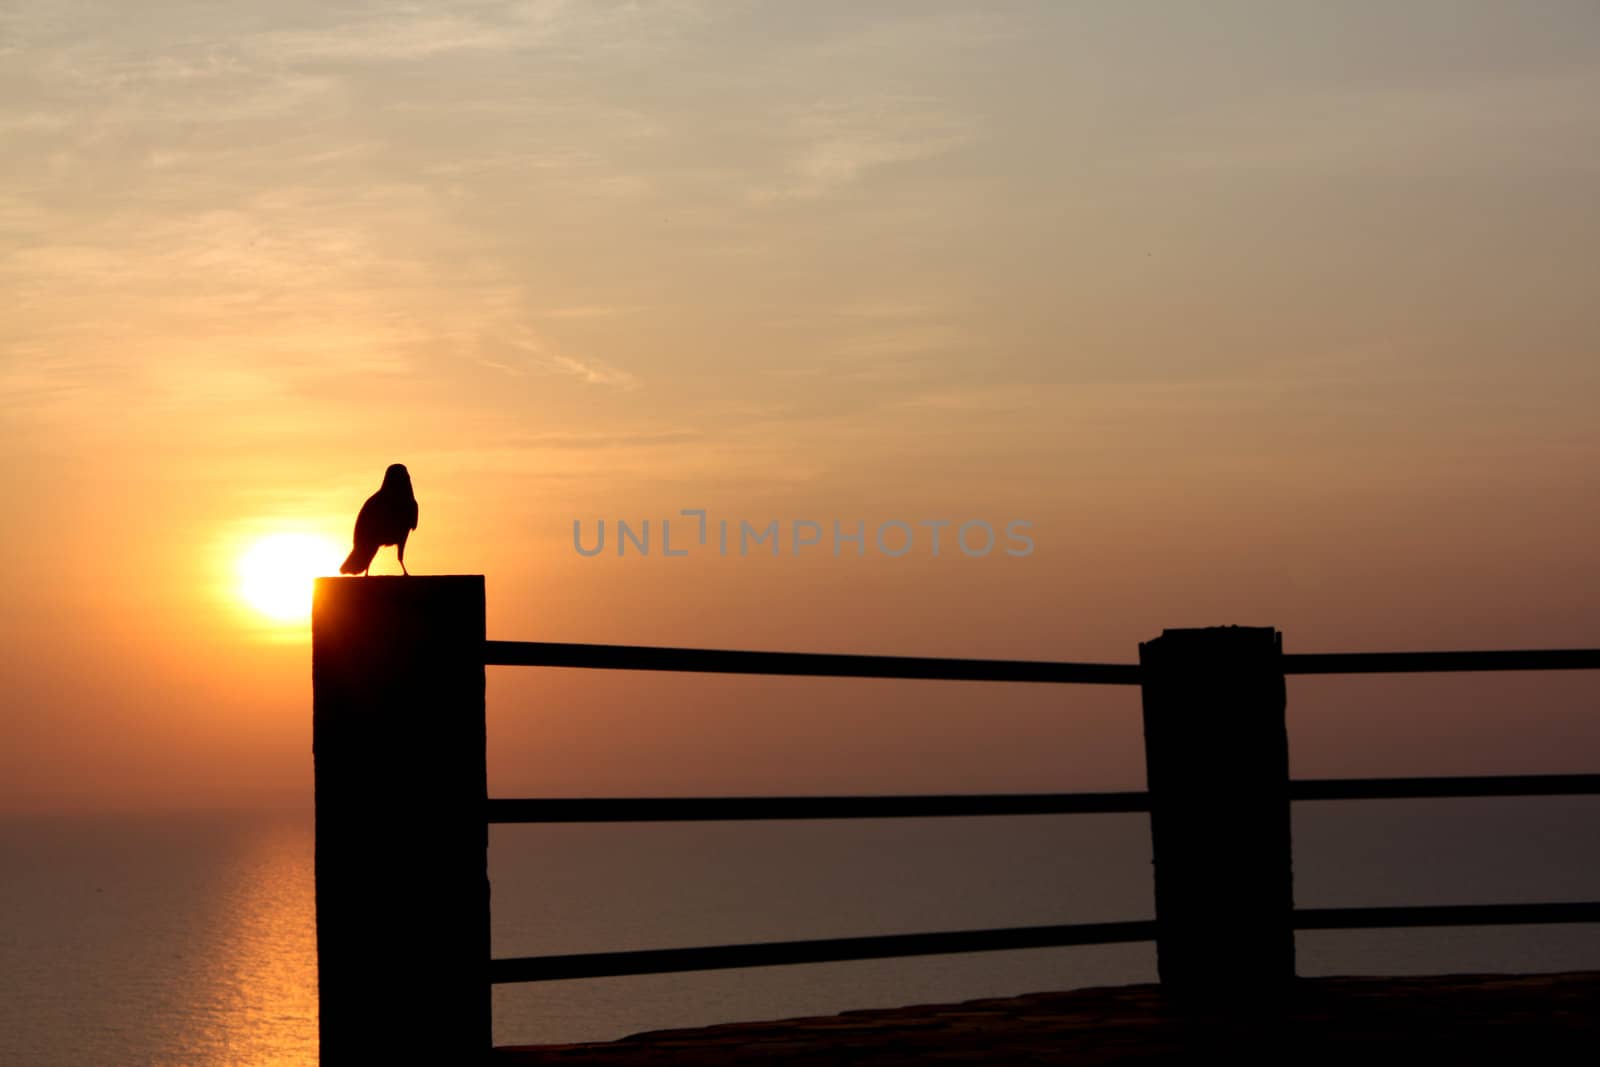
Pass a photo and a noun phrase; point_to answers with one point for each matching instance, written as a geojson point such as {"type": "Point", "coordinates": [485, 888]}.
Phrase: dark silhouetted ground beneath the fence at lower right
{"type": "Point", "coordinates": [1446, 1020]}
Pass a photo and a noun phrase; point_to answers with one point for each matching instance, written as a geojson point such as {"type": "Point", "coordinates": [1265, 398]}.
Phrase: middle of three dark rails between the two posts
{"type": "Point", "coordinates": [716, 809]}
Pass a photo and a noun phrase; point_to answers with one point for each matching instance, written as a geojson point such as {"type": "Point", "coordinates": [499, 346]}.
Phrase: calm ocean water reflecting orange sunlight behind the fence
{"type": "Point", "coordinates": [193, 940]}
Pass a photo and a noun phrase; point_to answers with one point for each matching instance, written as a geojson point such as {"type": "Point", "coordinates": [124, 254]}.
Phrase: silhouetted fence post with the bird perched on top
{"type": "Point", "coordinates": [402, 841]}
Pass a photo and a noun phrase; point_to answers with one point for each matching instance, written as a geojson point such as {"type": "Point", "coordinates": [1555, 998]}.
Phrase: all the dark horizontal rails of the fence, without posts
{"type": "Point", "coordinates": [892, 807]}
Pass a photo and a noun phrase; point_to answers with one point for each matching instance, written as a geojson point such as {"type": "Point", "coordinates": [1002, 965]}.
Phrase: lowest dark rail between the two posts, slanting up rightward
{"type": "Point", "coordinates": [825, 951]}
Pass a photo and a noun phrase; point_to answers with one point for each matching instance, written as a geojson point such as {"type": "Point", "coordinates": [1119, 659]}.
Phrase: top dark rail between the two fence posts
{"type": "Point", "coordinates": [801, 665]}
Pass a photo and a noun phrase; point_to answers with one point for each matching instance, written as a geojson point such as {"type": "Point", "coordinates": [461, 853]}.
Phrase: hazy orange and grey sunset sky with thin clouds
{"type": "Point", "coordinates": [1258, 313]}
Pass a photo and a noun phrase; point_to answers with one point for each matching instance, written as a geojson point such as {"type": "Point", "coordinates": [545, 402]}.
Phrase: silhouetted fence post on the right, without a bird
{"type": "Point", "coordinates": [1217, 756]}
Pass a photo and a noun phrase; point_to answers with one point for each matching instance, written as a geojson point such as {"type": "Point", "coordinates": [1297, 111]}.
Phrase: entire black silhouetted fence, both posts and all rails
{"type": "Point", "coordinates": [404, 812]}
